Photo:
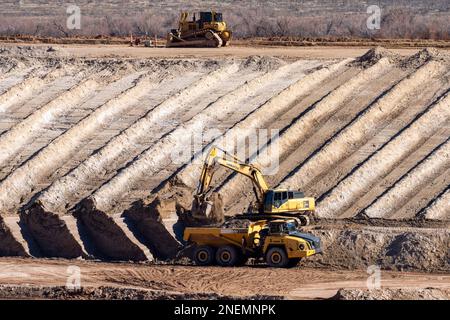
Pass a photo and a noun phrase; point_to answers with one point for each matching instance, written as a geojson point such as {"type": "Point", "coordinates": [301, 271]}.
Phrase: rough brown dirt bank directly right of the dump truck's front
{"type": "Point", "coordinates": [390, 249]}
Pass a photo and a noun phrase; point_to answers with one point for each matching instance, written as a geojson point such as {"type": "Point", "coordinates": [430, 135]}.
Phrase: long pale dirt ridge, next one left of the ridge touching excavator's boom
{"type": "Point", "coordinates": [153, 161]}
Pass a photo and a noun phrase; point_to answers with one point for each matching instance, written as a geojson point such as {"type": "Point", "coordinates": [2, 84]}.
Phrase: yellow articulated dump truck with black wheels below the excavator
{"type": "Point", "coordinates": [277, 242]}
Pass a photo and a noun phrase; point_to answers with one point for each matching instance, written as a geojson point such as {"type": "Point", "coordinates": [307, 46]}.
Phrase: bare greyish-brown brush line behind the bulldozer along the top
{"type": "Point", "coordinates": [396, 22]}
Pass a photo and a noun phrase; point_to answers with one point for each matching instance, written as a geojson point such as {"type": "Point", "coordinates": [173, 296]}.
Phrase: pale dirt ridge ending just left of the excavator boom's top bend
{"type": "Point", "coordinates": [260, 117]}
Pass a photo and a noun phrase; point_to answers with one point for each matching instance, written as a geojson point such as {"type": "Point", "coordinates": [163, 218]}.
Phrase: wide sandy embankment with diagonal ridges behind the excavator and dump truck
{"type": "Point", "coordinates": [87, 135]}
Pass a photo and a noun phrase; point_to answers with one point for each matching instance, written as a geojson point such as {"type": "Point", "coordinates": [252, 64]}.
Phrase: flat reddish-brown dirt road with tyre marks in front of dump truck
{"type": "Point", "coordinates": [298, 283]}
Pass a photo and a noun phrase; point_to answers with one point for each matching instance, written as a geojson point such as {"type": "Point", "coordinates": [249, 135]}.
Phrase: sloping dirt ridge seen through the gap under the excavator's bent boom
{"type": "Point", "coordinates": [304, 126]}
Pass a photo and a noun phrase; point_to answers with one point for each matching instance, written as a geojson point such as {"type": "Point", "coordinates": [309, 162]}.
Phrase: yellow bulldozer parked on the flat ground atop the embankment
{"type": "Point", "coordinates": [208, 30]}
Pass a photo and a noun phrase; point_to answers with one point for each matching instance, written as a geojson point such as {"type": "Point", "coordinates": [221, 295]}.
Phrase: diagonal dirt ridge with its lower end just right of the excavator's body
{"type": "Point", "coordinates": [384, 160]}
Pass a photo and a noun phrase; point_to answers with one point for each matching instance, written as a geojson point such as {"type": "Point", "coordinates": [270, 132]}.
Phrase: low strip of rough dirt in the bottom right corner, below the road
{"type": "Point", "coordinates": [392, 294]}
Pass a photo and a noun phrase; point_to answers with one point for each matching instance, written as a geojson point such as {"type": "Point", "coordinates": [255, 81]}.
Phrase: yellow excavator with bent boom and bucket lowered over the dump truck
{"type": "Point", "coordinates": [270, 204]}
